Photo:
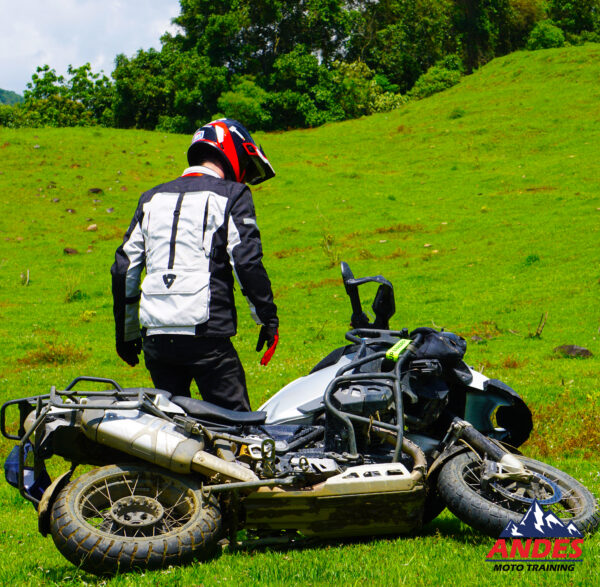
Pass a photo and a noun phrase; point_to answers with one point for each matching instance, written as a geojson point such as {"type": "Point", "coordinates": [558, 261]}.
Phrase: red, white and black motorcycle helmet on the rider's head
{"type": "Point", "coordinates": [232, 145]}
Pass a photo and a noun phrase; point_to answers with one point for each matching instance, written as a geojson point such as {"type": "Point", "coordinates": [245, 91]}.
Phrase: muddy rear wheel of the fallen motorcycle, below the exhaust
{"type": "Point", "coordinates": [121, 517]}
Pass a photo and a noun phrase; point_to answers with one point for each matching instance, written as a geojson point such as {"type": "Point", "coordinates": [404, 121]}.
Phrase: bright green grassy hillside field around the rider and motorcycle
{"type": "Point", "coordinates": [480, 204]}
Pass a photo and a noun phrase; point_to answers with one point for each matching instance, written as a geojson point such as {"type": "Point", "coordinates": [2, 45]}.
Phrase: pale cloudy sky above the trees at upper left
{"type": "Point", "coordinates": [63, 32]}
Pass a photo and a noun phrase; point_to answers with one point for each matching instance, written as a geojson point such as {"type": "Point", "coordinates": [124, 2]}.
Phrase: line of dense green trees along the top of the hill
{"type": "Point", "coordinates": [278, 64]}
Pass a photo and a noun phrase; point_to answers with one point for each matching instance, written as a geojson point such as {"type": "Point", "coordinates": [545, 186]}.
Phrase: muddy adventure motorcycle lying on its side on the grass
{"type": "Point", "coordinates": [379, 438]}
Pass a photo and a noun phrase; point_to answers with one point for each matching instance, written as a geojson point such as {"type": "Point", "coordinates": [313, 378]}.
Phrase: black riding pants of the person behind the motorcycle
{"type": "Point", "coordinates": [213, 363]}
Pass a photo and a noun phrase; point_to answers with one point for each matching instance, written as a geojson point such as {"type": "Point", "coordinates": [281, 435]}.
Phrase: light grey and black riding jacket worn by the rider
{"type": "Point", "coordinates": [192, 235]}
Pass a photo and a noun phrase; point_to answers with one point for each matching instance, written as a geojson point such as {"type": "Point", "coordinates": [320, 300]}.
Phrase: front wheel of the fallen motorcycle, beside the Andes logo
{"type": "Point", "coordinates": [490, 507]}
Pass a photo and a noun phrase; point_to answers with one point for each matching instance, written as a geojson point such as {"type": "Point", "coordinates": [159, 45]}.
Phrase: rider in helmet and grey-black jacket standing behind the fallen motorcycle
{"type": "Point", "coordinates": [192, 235]}
